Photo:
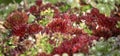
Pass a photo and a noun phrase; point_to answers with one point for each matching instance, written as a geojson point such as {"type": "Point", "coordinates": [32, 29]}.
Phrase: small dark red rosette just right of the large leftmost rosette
{"type": "Point", "coordinates": [34, 28]}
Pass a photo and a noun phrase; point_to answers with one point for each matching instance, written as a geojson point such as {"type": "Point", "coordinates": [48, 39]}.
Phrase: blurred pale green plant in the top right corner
{"type": "Point", "coordinates": [104, 6]}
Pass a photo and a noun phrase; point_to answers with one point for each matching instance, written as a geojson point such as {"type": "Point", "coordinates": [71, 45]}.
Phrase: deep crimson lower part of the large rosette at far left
{"type": "Point", "coordinates": [19, 30]}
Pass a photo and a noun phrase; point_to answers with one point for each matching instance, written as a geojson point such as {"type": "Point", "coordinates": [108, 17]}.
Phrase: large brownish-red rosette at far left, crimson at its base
{"type": "Point", "coordinates": [17, 22]}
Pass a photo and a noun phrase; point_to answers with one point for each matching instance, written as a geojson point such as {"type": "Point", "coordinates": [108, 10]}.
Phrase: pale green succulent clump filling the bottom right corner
{"type": "Point", "coordinates": [102, 47]}
